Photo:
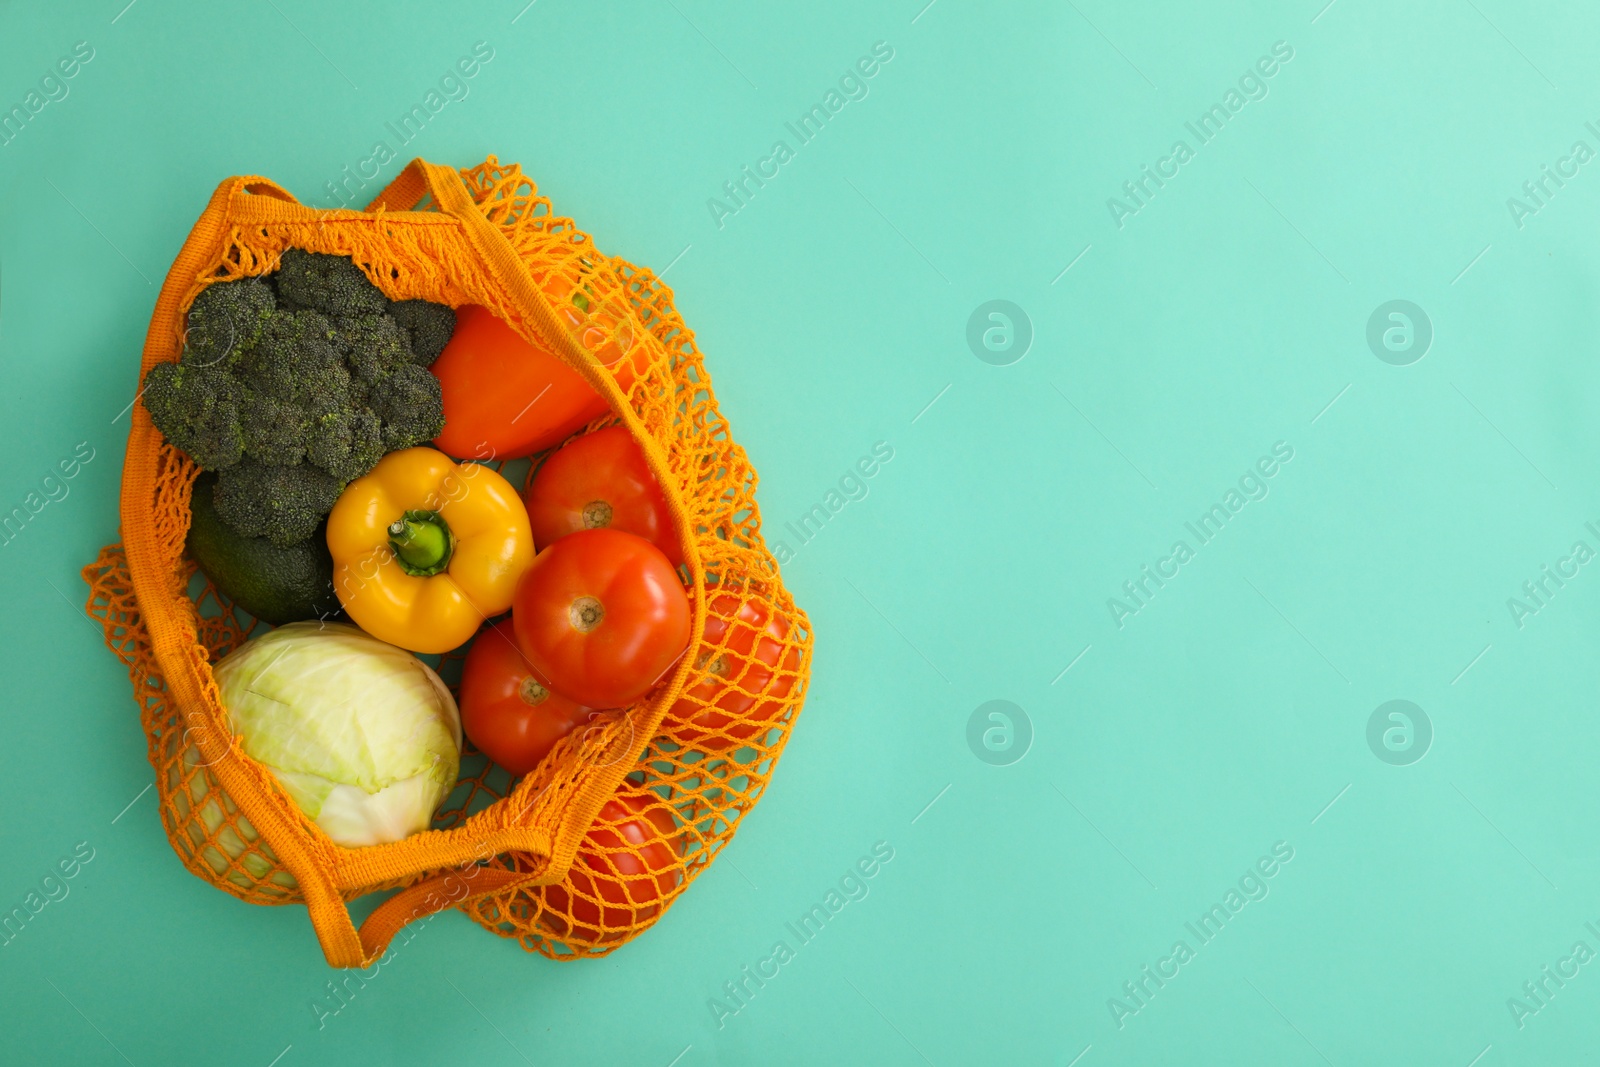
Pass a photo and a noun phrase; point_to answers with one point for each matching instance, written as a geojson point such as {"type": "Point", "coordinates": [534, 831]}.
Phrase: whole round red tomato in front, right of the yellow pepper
{"type": "Point", "coordinates": [602, 615]}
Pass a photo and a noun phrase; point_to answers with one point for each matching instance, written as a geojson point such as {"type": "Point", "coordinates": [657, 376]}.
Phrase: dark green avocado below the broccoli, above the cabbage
{"type": "Point", "coordinates": [274, 583]}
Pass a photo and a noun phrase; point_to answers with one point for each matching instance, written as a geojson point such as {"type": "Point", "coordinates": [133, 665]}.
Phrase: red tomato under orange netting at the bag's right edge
{"type": "Point", "coordinates": [745, 674]}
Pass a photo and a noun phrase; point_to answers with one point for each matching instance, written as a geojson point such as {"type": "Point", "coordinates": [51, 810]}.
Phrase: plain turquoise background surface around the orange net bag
{"type": "Point", "coordinates": [1228, 716]}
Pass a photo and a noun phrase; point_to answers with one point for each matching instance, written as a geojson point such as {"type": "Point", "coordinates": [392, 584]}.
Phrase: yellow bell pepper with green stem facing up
{"type": "Point", "coordinates": [426, 549]}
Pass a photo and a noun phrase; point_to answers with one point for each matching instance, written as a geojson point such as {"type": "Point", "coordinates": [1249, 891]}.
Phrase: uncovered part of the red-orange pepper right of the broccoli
{"type": "Point", "coordinates": [503, 396]}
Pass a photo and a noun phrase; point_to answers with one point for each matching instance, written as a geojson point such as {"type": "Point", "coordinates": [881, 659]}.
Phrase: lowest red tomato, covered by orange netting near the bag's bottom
{"type": "Point", "coordinates": [626, 865]}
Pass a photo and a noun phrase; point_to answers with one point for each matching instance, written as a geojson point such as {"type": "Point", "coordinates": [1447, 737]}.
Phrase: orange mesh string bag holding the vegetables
{"type": "Point", "coordinates": [593, 847]}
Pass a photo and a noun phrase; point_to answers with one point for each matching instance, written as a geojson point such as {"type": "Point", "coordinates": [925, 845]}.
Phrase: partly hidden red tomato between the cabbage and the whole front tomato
{"type": "Point", "coordinates": [506, 709]}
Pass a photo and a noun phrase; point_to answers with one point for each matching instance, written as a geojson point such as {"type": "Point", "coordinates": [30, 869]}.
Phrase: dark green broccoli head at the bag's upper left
{"type": "Point", "coordinates": [295, 385]}
